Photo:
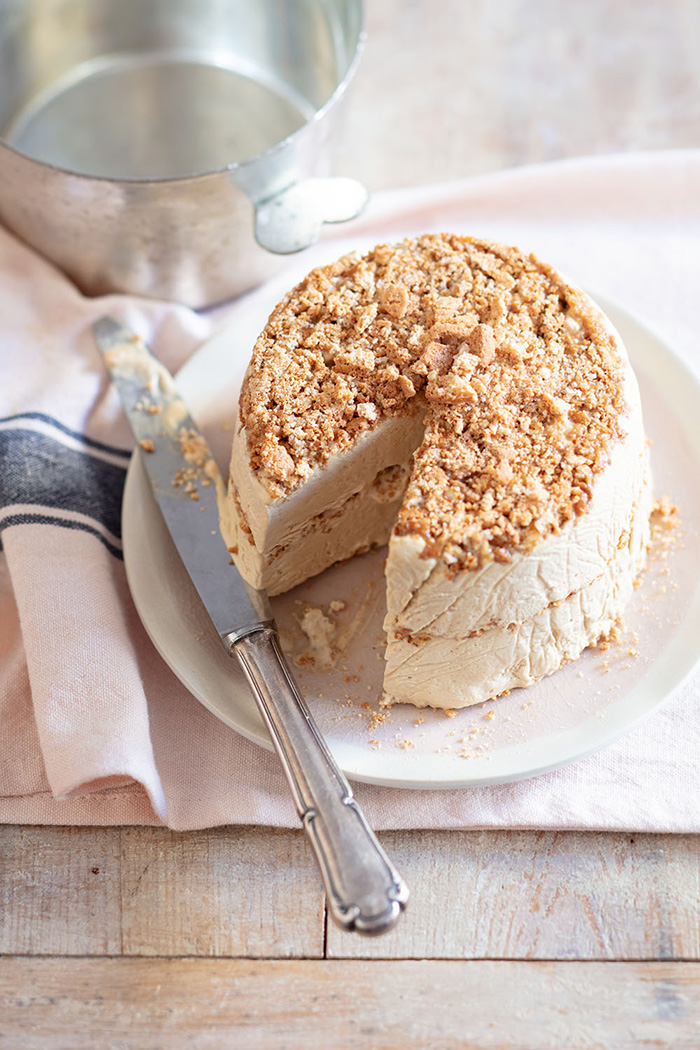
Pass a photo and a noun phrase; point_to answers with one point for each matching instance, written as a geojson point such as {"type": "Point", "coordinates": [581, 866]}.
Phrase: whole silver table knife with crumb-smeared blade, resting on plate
{"type": "Point", "coordinates": [365, 891]}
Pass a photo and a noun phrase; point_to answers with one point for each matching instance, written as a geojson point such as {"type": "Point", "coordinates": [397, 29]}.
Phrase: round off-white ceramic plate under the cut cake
{"type": "Point", "coordinates": [577, 711]}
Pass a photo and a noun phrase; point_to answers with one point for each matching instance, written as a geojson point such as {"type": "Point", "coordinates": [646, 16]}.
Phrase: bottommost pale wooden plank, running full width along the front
{"type": "Point", "coordinates": [208, 1004]}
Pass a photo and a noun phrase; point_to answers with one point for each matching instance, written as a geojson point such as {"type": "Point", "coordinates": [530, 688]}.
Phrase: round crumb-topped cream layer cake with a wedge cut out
{"type": "Point", "coordinates": [466, 404]}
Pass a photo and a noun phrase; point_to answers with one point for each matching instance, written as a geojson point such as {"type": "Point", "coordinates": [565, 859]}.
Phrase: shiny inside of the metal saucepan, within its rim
{"type": "Point", "coordinates": [135, 90]}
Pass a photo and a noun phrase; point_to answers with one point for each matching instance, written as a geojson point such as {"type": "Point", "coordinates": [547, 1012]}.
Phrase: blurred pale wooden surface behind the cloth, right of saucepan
{"type": "Point", "coordinates": [455, 88]}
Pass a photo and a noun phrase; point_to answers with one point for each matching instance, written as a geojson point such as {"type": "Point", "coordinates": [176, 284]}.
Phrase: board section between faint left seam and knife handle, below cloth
{"type": "Point", "coordinates": [238, 892]}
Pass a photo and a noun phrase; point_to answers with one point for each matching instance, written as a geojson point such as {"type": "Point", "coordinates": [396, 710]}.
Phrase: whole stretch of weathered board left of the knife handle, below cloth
{"type": "Point", "coordinates": [147, 891]}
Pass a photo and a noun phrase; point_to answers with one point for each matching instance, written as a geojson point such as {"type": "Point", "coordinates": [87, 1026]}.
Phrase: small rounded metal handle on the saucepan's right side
{"type": "Point", "coordinates": [292, 220]}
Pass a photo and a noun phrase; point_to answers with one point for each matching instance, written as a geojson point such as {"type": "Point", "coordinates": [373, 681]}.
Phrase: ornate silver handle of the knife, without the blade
{"type": "Point", "coordinates": [365, 891]}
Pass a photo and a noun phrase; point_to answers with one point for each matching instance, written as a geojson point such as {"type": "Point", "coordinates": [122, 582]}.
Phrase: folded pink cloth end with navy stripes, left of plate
{"type": "Point", "coordinates": [74, 709]}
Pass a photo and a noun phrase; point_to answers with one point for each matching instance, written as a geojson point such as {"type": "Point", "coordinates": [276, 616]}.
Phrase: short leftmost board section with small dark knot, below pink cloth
{"type": "Point", "coordinates": [60, 891]}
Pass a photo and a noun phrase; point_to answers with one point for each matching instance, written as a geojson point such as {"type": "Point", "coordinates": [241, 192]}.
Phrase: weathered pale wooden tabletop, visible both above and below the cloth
{"type": "Point", "coordinates": [141, 938]}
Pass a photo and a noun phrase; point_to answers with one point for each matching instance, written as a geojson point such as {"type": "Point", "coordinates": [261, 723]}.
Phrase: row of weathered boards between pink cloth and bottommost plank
{"type": "Point", "coordinates": [254, 893]}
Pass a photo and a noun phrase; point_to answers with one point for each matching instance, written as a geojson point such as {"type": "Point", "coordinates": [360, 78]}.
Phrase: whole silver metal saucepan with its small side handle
{"type": "Point", "coordinates": [169, 148]}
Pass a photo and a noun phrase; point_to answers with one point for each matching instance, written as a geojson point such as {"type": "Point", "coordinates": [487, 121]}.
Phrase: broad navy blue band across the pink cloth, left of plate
{"type": "Point", "coordinates": [39, 471]}
